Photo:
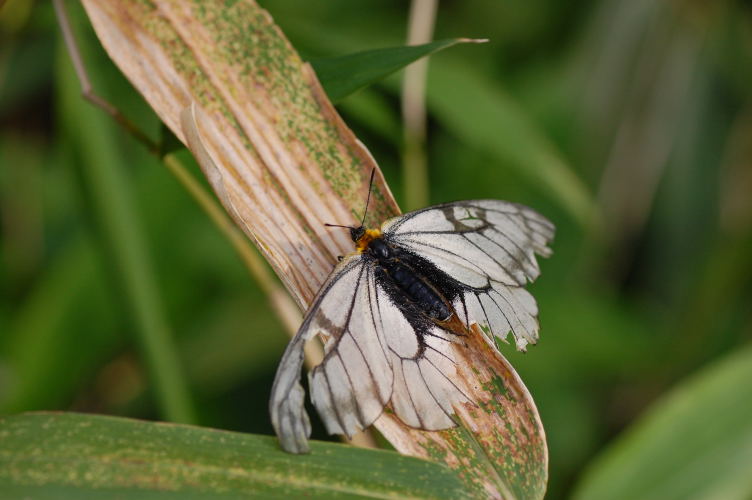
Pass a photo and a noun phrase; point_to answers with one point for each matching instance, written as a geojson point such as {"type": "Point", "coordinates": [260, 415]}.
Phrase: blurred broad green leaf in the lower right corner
{"type": "Point", "coordinates": [696, 443]}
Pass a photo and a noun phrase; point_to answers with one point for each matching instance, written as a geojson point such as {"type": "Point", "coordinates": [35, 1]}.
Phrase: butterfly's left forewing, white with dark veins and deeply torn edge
{"type": "Point", "coordinates": [355, 361]}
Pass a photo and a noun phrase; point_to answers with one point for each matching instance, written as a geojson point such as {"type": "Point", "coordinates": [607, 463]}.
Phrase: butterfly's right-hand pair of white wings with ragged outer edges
{"type": "Point", "coordinates": [488, 247]}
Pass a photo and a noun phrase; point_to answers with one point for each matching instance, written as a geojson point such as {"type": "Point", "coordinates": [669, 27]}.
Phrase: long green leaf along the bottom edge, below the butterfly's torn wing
{"type": "Point", "coordinates": [70, 455]}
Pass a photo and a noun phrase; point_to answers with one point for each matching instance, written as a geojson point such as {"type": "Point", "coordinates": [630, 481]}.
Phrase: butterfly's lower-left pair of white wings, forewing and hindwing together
{"type": "Point", "coordinates": [377, 351]}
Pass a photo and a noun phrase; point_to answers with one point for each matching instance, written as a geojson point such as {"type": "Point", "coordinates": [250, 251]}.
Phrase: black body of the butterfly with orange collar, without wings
{"type": "Point", "coordinates": [395, 267]}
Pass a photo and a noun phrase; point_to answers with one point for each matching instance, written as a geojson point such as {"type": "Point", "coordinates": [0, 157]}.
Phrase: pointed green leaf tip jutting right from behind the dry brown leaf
{"type": "Point", "coordinates": [341, 76]}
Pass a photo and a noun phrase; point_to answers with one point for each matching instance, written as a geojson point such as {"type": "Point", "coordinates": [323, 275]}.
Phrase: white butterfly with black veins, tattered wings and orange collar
{"type": "Point", "coordinates": [391, 311]}
